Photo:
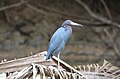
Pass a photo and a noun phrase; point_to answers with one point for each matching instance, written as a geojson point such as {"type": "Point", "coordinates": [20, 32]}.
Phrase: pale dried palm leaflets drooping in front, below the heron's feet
{"type": "Point", "coordinates": [44, 72]}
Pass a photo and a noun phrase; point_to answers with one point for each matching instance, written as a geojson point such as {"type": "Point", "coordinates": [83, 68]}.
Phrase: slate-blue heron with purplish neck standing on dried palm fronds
{"type": "Point", "coordinates": [59, 39]}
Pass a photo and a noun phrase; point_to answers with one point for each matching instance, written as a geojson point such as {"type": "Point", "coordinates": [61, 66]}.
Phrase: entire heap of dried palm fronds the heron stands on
{"type": "Point", "coordinates": [25, 69]}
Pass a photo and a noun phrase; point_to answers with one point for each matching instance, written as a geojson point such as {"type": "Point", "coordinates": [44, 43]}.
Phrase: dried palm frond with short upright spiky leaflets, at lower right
{"type": "Point", "coordinates": [105, 71]}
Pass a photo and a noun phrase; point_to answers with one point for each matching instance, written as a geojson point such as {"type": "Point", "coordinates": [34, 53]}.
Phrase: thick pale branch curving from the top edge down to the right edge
{"type": "Point", "coordinates": [96, 16]}
